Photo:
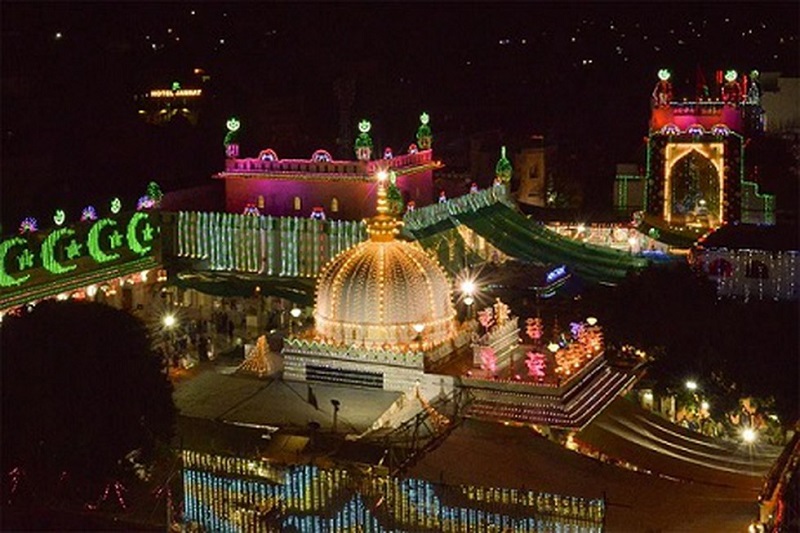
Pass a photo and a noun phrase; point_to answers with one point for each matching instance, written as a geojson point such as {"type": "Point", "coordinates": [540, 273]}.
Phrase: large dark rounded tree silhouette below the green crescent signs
{"type": "Point", "coordinates": [81, 390]}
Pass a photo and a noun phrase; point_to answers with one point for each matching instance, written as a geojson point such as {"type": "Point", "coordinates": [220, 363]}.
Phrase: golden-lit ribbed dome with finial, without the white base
{"type": "Point", "coordinates": [384, 291]}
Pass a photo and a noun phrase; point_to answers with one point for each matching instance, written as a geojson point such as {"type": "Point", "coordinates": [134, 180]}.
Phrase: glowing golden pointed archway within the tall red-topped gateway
{"type": "Point", "coordinates": [675, 207]}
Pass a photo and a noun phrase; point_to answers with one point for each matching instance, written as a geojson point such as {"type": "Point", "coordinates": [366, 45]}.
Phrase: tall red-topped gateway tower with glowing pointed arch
{"type": "Point", "coordinates": [695, 156]}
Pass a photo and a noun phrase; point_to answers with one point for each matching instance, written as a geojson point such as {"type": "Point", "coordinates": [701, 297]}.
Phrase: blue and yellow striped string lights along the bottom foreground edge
{"type": "Point", "coordinates": [224, 493]}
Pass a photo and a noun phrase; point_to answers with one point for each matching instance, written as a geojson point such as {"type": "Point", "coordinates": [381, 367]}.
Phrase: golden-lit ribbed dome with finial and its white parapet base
{"type": "Point", "coordinates": [383, 311]}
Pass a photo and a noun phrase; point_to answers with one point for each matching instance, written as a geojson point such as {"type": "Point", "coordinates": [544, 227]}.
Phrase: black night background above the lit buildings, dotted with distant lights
{"type": "Point", "coordinates": [580, 74]}
